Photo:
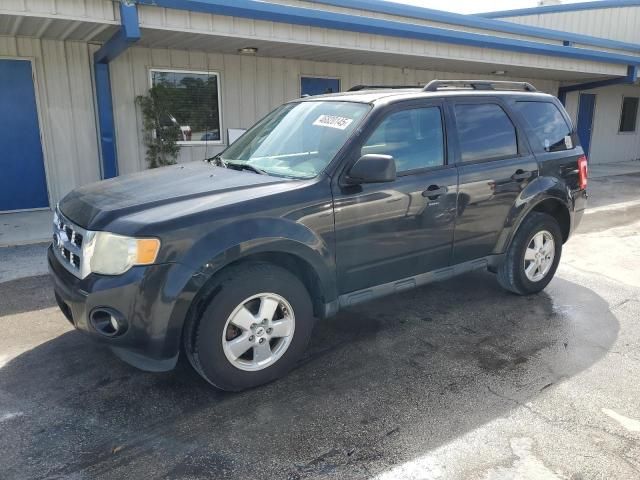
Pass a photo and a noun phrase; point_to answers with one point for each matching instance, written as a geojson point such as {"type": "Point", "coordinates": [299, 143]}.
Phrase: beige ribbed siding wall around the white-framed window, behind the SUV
{"type": "Point", "coordinates": [250, 88]}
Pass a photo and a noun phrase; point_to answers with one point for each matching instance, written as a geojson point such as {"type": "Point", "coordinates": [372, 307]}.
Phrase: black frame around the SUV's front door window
{"type": "Point", "coordinates": [385, 113]}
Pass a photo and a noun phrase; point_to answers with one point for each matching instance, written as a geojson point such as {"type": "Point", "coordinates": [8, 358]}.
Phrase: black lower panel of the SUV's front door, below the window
{"type": "Point", "coordinates": [391, 231]}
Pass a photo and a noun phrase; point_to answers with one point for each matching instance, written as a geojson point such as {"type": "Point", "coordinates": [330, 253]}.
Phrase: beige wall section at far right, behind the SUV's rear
{"type": "Point", "coordinates": [607, 144]}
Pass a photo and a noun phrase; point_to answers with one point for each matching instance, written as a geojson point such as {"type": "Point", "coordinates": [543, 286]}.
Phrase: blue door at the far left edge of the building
{"type": "Point", "coordinates": [23, 183]}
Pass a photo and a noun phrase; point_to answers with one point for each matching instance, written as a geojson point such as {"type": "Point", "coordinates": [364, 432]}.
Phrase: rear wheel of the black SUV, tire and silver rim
{"type": "Point", "coordinates": [511, 273]}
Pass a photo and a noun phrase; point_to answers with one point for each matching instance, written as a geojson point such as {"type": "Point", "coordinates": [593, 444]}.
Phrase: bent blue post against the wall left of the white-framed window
{"type": "Point", "coordinates": [127, 34]}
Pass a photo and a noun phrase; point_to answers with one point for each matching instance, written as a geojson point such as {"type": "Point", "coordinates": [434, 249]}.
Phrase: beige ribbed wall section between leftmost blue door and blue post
{"type": "Point", "coordinates": [66, 109]}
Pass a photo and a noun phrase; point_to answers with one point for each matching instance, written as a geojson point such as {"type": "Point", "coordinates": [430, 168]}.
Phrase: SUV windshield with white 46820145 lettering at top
{"type": "Point", "coordinates": [297, 140]}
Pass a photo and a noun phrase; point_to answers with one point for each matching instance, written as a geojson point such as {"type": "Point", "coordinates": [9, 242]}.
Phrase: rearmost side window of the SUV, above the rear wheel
{"type": "Point", "coordinates": [548, 125]}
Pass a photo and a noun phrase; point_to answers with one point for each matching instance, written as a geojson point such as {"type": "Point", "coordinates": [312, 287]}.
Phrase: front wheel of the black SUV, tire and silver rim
{"type": "Point", "coordinates": [242, 289]}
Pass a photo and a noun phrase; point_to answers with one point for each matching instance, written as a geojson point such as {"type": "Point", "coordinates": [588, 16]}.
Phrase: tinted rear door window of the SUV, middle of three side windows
{"type": "Point", "coordinates": [485, 132]}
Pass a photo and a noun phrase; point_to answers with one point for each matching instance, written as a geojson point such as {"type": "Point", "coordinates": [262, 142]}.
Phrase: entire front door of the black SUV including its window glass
{"type": "Point", "coordinates": [390, 231]}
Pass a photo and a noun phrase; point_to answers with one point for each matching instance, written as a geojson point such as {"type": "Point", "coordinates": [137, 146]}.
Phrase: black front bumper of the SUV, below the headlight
{"type": "Point", "coordinates": [149, 298]}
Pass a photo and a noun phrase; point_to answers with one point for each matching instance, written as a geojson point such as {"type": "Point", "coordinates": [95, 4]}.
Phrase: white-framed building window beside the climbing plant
{"type": "Point", "coordinates": [192, 101]}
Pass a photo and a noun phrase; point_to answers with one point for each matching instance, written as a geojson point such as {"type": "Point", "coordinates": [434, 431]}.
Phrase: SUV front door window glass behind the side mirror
{"type": "Point", "coordinates": [414, 138]}
